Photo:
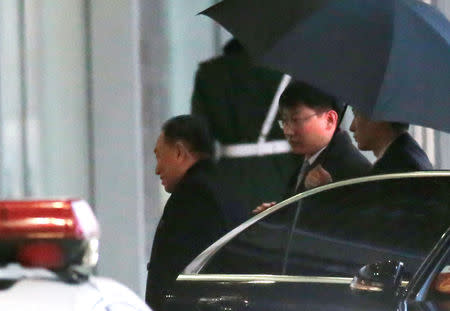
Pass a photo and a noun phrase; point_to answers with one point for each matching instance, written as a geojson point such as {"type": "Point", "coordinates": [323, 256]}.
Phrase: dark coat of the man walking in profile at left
{"type": "Point", "coordinates": [191, 221]}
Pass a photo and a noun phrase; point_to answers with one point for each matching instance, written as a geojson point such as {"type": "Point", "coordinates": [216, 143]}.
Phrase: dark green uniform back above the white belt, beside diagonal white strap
{"type": "Point", "coordinates": [234, 96]}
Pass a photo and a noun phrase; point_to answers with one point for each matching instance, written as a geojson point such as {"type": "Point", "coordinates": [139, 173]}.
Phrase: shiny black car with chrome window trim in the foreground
{"type": "Point", "coordinates": [303, 253]}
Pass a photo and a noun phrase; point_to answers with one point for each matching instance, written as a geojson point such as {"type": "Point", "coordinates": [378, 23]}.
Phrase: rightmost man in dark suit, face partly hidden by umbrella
{"type": "Point", "coordinates": [395, 149]}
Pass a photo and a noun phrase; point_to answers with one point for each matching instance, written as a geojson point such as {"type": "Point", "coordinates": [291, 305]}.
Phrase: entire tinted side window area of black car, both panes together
{"type": "Point", "coordinates": [339, 230]}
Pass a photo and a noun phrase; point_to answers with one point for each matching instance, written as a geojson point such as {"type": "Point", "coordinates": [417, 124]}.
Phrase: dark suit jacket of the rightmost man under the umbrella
{"type": "Point", "coordinates": [402, 155]}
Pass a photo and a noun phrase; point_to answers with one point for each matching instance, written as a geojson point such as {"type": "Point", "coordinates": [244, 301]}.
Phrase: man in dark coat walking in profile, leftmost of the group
{"type": "Point", "coordinates": [193, 215]}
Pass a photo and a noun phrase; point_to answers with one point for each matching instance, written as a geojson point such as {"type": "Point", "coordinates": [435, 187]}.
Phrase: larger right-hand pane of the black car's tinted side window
{"type": "Point", "coordinates": [339, 230]}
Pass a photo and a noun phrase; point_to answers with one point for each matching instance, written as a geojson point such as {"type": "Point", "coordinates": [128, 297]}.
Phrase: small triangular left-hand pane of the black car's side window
{"type": "Point", "coordinates": [258, 249]}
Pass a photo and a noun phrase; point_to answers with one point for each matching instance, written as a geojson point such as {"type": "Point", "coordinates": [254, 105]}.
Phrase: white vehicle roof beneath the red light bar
{"type": "Point", "coordinates": [40, 289]}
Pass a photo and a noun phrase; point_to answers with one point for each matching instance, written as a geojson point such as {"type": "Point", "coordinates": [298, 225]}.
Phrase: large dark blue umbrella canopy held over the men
{"type": "Point", "coordinates": [388, 58]}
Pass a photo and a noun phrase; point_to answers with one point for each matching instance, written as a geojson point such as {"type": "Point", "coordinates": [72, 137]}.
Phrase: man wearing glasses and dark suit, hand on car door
{"type": "Point", "coordinates": [309, 120]}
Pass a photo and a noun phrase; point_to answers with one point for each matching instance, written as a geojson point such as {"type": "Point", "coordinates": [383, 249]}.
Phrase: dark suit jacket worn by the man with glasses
{"type": "Point", "coordinates": [340, 158]}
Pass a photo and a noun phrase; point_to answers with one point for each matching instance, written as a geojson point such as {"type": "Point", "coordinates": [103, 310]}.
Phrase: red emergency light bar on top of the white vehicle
{"type": "Point", "coordinates": [54, 234]}
